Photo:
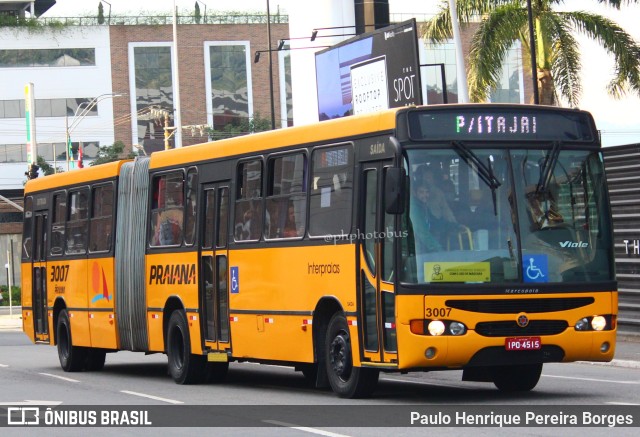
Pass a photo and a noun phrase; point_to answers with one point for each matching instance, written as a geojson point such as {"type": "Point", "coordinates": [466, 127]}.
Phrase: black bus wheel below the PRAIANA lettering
{"type": "Point", "coordinates": [184, 367]}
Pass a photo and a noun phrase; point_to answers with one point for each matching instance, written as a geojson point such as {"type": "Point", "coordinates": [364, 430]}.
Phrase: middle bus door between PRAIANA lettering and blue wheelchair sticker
{"type": "Point", "coordinates": [214, 288]}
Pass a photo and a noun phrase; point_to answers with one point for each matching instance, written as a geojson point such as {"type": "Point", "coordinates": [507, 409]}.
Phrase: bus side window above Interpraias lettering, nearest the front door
{"type": "Point", "coordinates": [331, 191]}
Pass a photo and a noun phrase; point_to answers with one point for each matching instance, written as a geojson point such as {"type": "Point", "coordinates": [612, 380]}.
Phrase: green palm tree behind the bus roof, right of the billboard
{"type": "Point", "coordinates": [502, 22]}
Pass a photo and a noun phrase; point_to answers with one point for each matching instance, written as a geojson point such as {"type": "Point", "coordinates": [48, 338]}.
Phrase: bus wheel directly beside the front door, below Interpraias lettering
{"type": "Point", "coordinates": [346, 380]}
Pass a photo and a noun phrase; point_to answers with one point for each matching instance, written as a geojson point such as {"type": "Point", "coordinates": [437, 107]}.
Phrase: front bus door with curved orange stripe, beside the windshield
{"type": "Point", "coordinates": [377, 297]}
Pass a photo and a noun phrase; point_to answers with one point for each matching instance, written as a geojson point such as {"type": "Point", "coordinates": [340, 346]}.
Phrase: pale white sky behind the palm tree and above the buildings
{"type": "Point", "coordinates": [617, 119]}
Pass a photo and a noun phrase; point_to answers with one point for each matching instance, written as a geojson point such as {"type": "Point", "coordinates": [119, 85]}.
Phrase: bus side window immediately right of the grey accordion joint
{"type": "Point", "coordinates": [167, 210]}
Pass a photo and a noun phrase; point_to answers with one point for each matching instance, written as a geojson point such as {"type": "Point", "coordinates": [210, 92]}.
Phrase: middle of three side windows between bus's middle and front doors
{"type": "Point", "coordinates": [286, 197]}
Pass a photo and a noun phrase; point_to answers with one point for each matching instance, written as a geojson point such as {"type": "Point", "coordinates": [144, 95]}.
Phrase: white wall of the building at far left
{"type": "Point", "coordinates": [56, 82]}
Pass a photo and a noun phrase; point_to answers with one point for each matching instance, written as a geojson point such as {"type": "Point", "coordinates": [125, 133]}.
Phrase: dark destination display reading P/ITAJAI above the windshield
{"type": "Point", "coordinates": [500, 124]}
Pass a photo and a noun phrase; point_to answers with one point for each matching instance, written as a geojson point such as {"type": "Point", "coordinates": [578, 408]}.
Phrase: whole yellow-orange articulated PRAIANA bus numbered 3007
{"type": "Point", "coordinates": [473, 237]}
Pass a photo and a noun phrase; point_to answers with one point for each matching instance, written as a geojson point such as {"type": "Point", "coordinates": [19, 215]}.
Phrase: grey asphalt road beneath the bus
{"type": "Point", "coordinates": [278, 400]}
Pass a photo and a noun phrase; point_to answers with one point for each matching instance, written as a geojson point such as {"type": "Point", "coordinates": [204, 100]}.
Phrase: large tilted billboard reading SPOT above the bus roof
{"type": "Point", "coordinates": [371, 72]}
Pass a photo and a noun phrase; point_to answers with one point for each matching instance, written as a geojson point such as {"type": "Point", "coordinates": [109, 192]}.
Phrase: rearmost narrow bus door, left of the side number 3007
{"type": "Point", "coordinates": [39, 277]}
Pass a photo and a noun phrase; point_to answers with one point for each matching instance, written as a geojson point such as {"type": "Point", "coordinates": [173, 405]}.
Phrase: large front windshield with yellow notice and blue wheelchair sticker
{"type": "Point", "coordinates": [501, 215]}
